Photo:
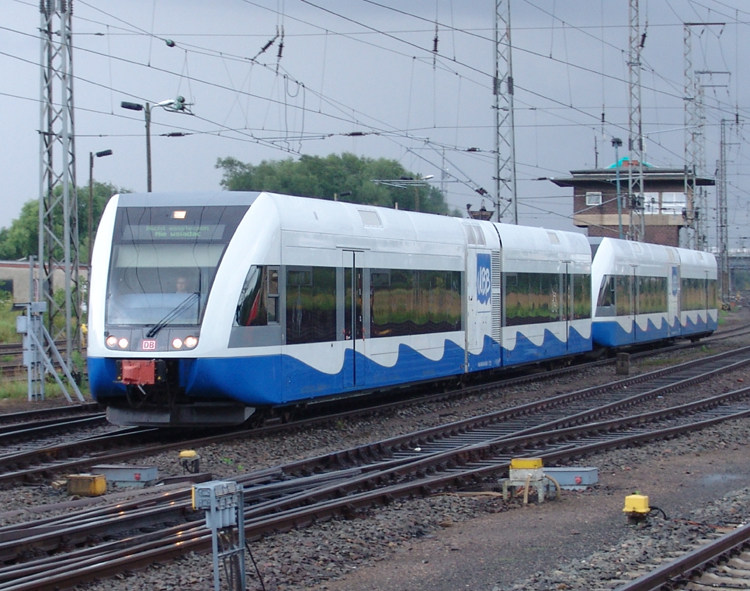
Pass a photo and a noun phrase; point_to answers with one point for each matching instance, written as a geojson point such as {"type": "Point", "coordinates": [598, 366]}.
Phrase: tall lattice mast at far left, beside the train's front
{"type": "Point", "coordinates": [58, 202]}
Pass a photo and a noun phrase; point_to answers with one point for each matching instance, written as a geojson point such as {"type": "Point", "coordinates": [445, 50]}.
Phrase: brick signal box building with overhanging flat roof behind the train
{"type": "Point", "coordinates": [668, 197]}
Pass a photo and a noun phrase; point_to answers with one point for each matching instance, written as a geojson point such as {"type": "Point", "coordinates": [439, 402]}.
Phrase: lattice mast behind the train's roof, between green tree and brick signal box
{"type": "Point", "coordinates": [505, 143]}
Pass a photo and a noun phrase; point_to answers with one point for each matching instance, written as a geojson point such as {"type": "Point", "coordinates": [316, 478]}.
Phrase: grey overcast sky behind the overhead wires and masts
{"type": "Point", "coordinates": [369, 66]}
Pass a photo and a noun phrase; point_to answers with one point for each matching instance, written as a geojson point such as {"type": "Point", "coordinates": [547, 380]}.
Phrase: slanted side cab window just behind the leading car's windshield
{"type": "Point", "coordinates": [258, 303]}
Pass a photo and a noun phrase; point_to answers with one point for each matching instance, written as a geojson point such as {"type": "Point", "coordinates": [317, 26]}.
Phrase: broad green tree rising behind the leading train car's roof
{"type": "Point", "coordinates": [347, 177]}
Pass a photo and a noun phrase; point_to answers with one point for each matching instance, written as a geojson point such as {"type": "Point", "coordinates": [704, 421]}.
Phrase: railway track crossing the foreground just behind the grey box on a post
{"type": "Point", "coordinates": [301, 493]}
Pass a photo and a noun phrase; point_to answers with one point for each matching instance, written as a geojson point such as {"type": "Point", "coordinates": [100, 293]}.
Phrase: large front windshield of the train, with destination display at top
{"type": "Point", "coordinates": [164, 260]}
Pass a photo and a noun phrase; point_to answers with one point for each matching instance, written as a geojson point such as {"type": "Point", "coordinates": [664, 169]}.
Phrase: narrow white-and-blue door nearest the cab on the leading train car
{"type": "Point", "coordinates": [354, 329]}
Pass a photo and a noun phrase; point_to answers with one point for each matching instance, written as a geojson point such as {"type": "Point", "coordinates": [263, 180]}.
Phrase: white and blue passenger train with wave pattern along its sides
{"type": "Point", "coordinates": [222, 308]}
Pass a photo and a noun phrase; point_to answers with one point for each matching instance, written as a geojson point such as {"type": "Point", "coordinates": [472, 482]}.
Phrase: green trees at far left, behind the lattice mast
{"type": "Point", "coordinates": [22, 238]}
